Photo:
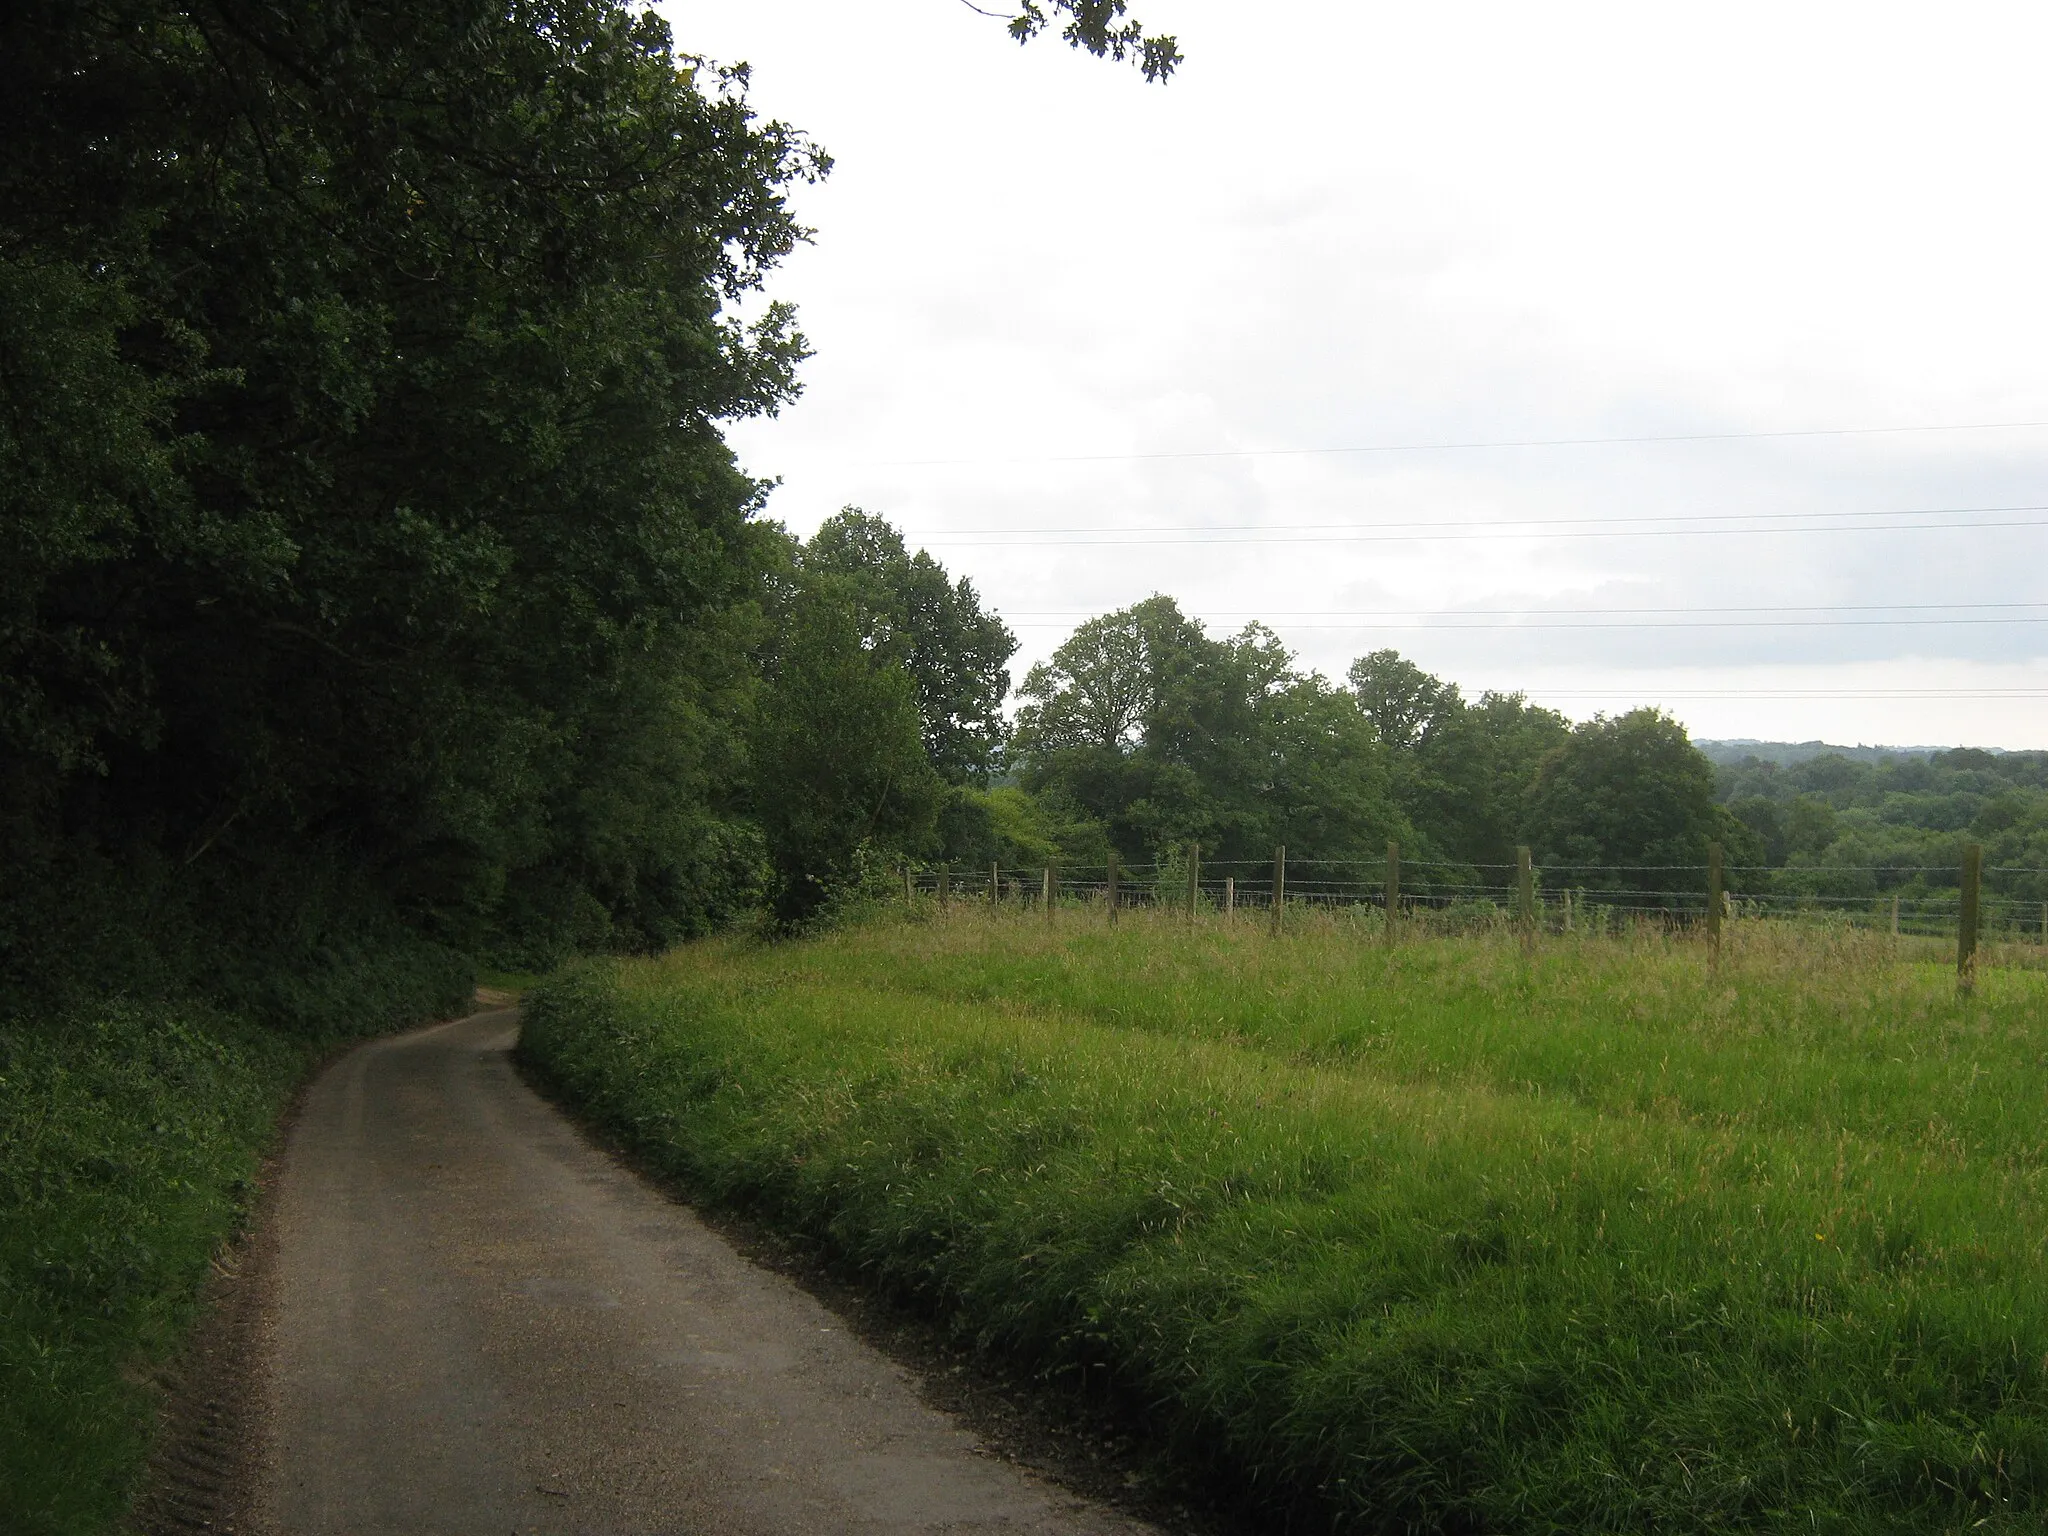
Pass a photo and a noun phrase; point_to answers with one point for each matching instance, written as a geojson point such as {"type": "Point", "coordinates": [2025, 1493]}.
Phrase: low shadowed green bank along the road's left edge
{"type": "Point", "coordinates": [130, 1138]}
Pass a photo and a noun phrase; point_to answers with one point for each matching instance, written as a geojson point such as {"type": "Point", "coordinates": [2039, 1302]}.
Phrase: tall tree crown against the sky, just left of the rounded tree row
{"type": "Point", "coordinates": [955, 652]}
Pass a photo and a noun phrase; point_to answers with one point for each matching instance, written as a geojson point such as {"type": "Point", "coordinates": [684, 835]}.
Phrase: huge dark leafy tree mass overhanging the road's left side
{"type": "Point", "coordinates": [364, 378]}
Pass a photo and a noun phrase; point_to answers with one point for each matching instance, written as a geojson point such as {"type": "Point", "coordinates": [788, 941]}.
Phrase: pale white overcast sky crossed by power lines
{"type": "Point", "coordinates": [1089, 339]}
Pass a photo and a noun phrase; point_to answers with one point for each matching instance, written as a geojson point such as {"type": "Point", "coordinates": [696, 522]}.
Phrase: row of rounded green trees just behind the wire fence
{"type": "Point", "coordinates": [1166, 736]}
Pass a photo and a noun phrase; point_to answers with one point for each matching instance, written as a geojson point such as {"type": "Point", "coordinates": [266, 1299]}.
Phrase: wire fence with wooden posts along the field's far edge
{"type": "Point", "coordinates": [1922, 900]}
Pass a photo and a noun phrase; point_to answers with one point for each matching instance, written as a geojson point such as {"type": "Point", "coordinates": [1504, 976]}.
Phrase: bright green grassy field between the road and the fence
{"type": "Point", "coordinates": [1418, 1238]}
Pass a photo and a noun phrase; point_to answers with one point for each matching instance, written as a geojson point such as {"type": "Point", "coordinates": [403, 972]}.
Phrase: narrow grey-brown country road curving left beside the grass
{"type": "Point", "coordinates": [482, 1324]}
